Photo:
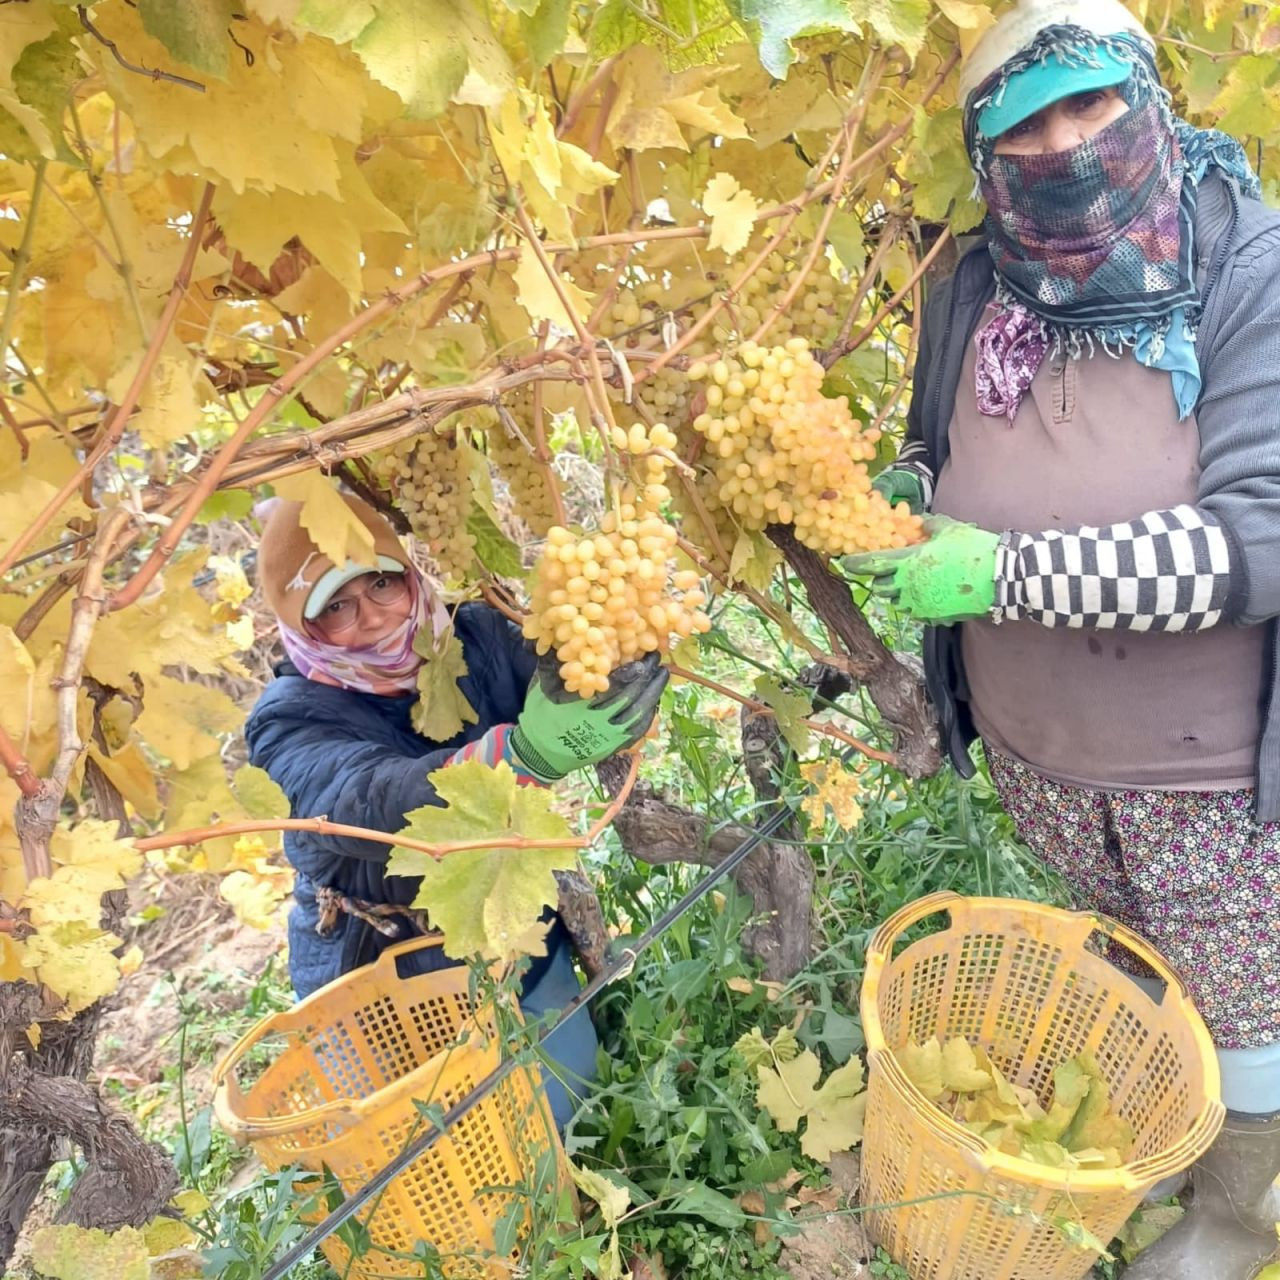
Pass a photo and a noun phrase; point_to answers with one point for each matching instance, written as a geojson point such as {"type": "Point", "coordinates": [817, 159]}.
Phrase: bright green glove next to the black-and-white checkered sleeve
{"type": "Point", "coordinates": [948, 579]}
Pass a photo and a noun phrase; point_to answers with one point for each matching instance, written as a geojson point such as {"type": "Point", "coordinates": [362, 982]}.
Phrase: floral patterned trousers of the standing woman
{"type": "Point", "coordinates": [1191, 871]}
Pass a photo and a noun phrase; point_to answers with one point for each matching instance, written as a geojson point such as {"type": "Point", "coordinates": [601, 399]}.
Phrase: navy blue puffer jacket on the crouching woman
{"type": "Point", "coordinates": [355, 758]}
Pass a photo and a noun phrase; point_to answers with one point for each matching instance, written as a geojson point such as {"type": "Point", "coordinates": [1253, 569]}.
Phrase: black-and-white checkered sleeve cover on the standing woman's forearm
{"type": "Point", "coordinates": [1164, 572]}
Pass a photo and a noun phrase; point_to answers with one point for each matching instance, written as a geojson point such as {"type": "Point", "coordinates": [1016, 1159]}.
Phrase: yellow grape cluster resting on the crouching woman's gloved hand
{"type": "Point", "coordinates": [604, 600]}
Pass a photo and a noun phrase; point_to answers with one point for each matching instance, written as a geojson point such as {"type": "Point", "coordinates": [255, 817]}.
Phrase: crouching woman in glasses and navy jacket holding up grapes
{"type": "Point", "coordinates": [335, 732]}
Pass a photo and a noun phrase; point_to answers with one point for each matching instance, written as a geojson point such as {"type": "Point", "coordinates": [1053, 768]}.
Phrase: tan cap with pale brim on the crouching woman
{"type": "Point", "coordinates": [296, 574]}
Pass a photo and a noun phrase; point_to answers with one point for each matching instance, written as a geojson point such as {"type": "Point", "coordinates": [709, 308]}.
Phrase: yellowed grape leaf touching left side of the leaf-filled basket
{"type": "Point", "coordinates": [834, 1113]}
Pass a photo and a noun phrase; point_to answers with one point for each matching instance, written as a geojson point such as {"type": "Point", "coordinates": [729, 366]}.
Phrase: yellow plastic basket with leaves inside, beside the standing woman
{"type": "Point", "coordinates": [1025, 982]}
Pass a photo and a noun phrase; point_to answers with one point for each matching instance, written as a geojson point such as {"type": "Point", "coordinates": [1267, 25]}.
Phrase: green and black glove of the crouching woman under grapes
{"type": "Point", "coordinates": [559, 733]}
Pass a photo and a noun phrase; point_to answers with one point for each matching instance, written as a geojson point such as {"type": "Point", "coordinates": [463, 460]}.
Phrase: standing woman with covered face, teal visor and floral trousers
{"type": "Point", "coordinates": [1096, 427]}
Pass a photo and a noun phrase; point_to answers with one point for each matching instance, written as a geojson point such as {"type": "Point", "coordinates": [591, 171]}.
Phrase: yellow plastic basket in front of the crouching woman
{"type": "Point", "coordinates": [346, 1067]}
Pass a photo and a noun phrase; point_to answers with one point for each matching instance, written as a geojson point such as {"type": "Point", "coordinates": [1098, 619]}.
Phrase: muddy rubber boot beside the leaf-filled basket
{"type": "Point", "coordinates": [1231, 1227]}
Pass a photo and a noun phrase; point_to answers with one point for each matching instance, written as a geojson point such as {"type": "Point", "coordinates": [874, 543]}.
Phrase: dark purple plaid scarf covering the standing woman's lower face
{"type": "Point", "coordinates": [1094, 236]}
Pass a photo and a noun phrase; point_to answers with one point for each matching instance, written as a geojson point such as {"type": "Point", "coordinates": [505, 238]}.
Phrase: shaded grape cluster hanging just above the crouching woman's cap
{"type": "Point", "coordinates": [429, 477]}
